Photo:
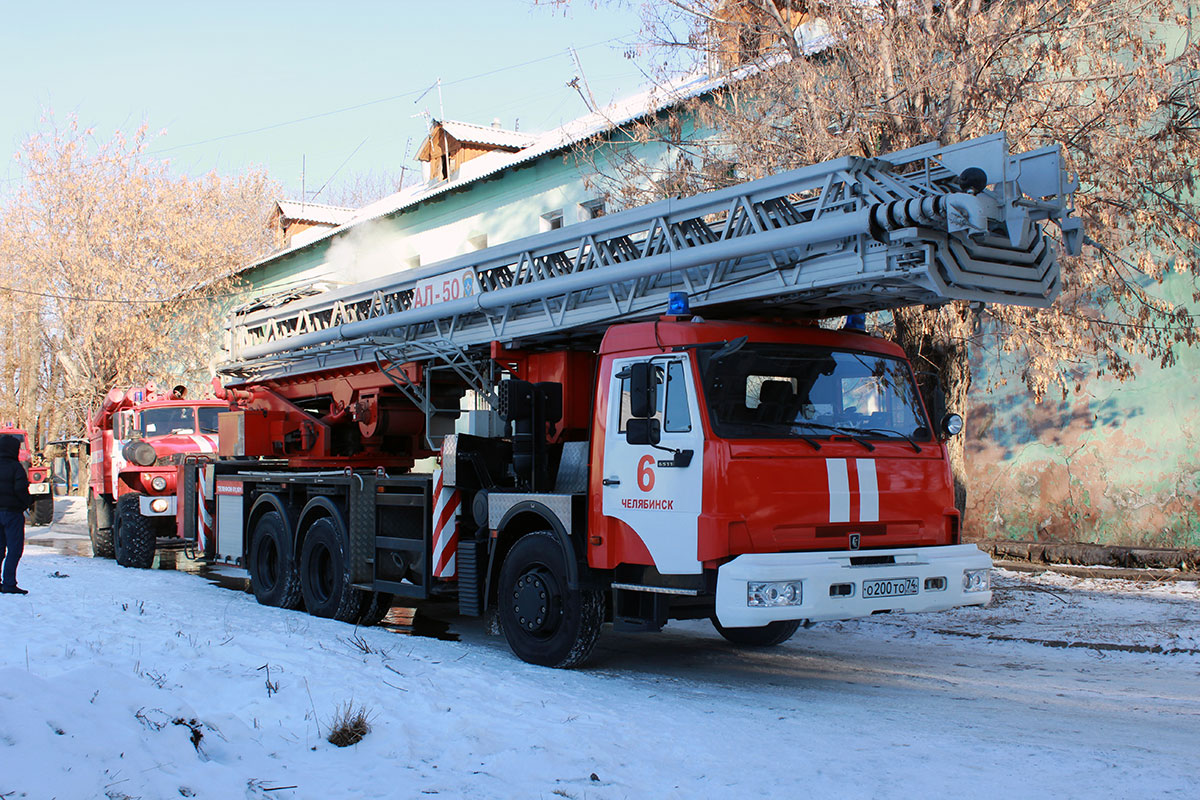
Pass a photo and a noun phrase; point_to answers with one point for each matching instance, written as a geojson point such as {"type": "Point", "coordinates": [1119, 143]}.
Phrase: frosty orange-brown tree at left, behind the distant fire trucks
{"type": "Point", "coordinates": [116, 270]}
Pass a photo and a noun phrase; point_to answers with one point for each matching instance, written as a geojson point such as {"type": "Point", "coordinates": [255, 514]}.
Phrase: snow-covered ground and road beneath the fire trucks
{"type": "Point", "coordinates": [1063, 689]}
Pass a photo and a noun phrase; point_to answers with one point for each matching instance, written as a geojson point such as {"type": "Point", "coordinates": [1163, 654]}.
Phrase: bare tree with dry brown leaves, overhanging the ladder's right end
{"type": "Point", "coordinates": [1114, 82]}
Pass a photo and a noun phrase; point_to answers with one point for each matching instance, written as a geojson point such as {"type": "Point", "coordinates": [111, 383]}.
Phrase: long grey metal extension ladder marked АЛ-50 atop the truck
{"type": "Point", "coordinates": [922, 226]}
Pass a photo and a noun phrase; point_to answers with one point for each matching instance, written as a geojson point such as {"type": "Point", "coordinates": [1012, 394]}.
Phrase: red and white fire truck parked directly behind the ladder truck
{"type": "Point", "coordinates": [139, 438]}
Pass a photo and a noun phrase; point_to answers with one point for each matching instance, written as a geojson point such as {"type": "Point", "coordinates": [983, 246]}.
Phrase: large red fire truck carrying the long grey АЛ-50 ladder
{"type": "Point", "coordinates": [633, 420]}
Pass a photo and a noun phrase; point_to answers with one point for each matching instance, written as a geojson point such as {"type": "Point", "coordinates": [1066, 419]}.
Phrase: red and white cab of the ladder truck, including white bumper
{"type": "Point", "coordinates": [794, 467]}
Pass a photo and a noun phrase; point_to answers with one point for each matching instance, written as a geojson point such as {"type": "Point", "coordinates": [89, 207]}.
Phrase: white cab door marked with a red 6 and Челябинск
{"type": "Point", "coordinates": [657, 490]}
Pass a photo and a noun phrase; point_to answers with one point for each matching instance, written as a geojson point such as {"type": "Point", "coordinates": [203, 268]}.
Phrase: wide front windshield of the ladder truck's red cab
{"type": "Point", "coordinates": [776, 392]}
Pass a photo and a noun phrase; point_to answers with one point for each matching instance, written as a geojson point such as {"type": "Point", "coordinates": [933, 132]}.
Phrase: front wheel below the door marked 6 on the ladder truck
{"type": "Point", "coordinates": [545, 622]}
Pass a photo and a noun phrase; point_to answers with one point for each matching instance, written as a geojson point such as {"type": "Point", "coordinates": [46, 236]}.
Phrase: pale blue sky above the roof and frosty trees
{"type": "Point", "coordinates": [208, 71]}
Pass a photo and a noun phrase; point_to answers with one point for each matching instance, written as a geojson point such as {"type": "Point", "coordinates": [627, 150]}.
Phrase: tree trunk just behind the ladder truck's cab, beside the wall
{"type": "Point", "coordinates": [938, 345]}
